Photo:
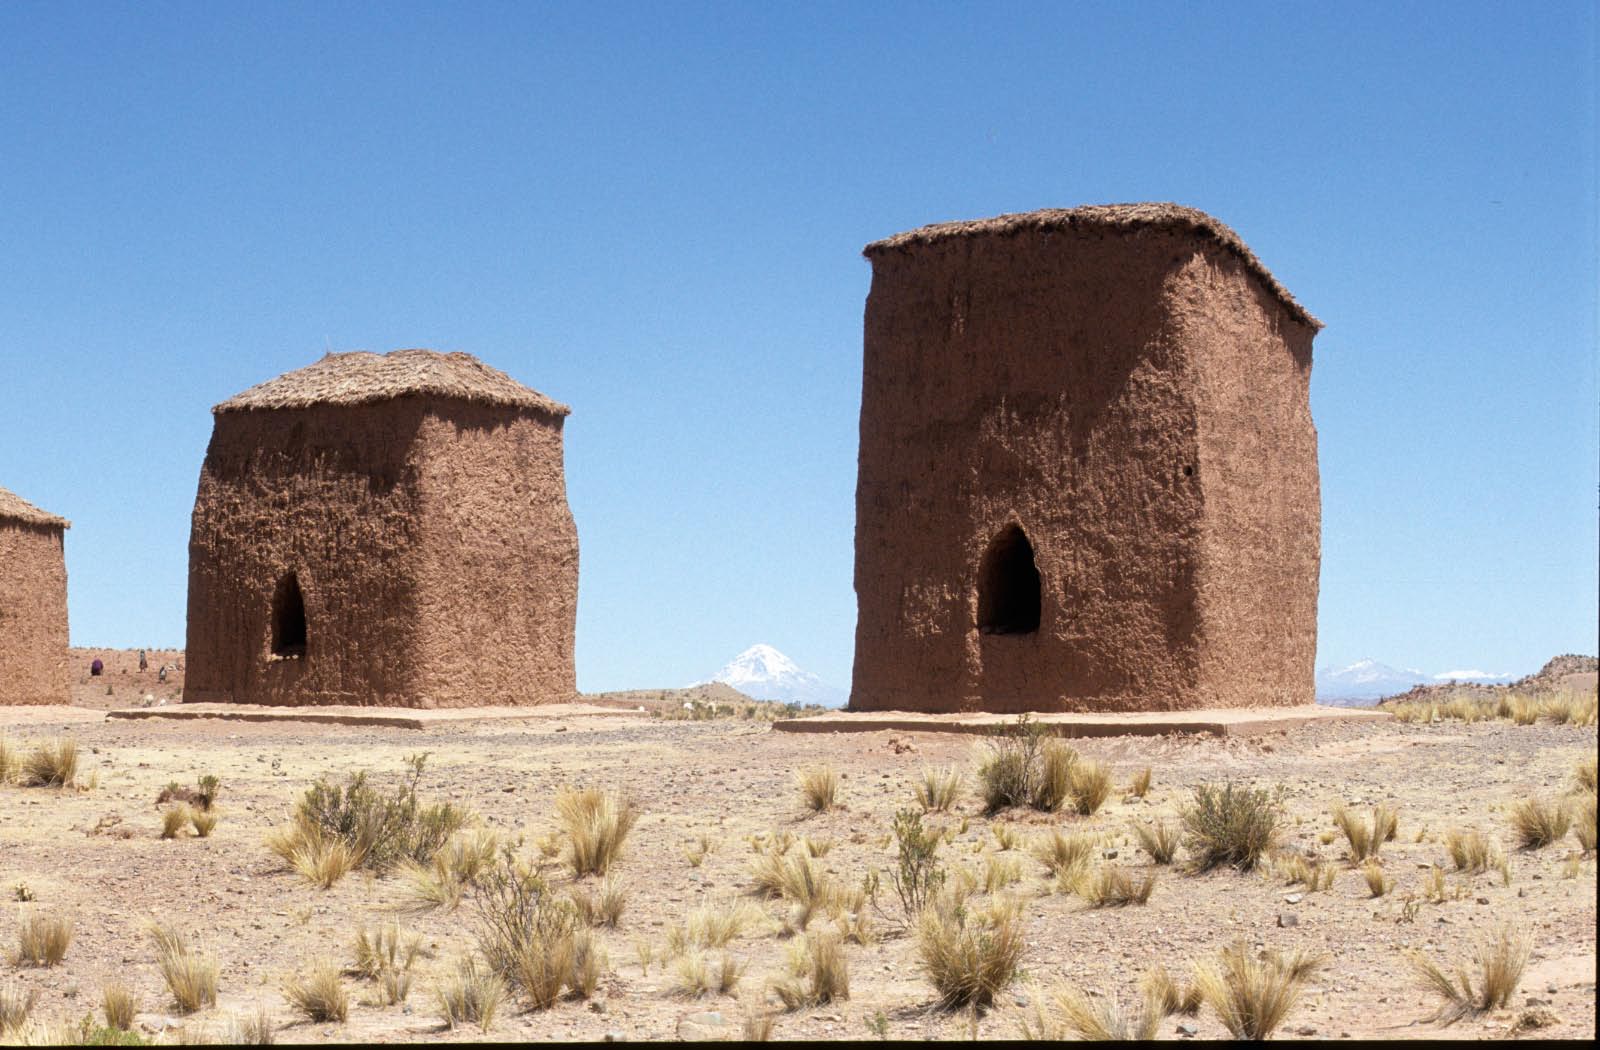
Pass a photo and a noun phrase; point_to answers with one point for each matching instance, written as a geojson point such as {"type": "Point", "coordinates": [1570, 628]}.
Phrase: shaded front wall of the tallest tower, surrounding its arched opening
{"type": "Point", "coordinates": [1034, 379]}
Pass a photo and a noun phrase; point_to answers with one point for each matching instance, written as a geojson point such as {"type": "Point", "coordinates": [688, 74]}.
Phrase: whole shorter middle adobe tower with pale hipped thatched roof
{"type": "Point", "coordinates": [385, 531]}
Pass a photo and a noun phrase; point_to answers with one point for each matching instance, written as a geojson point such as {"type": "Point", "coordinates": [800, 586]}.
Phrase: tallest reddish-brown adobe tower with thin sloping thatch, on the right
{"type": "Point", "coordinates": [1089, 470]}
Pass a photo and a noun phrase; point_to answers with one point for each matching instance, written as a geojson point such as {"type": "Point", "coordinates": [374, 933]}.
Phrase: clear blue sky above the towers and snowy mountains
{"type": "Point", "coordinates": [655, 214]}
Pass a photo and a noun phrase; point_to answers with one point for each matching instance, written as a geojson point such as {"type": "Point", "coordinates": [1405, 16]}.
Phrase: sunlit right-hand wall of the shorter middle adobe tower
{"type": "Point", "coordinates": [498, 559]}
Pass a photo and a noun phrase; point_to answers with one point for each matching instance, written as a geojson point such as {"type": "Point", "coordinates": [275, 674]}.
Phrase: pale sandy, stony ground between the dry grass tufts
{"type": "Point", "coordinates": [734, 779]}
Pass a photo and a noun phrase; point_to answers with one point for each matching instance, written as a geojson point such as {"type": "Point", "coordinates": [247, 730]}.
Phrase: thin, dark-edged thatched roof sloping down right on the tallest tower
{"type": "Point", "coordinates": [1108, 217]}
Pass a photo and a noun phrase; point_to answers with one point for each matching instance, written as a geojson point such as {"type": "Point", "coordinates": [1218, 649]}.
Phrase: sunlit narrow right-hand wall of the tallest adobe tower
{"type": "Point", "coordinates": [1262, 535]}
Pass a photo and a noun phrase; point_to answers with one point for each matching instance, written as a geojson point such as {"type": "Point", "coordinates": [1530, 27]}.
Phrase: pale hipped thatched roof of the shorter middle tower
{"type": "Point", "coordinates": [361, 379]}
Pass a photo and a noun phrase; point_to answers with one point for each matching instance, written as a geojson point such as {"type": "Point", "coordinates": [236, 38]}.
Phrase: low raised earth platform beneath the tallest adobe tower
{"type": "Point", "coordinates": [1215, 723]}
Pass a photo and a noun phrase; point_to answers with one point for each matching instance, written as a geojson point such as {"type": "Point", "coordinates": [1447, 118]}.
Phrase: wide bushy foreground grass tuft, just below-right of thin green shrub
{"type": "Point", "coordinates": [970, 958]}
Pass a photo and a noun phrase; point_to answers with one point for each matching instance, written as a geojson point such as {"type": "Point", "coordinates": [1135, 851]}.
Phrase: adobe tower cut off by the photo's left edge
{"type": "Point", "coordinates": [33, 604]}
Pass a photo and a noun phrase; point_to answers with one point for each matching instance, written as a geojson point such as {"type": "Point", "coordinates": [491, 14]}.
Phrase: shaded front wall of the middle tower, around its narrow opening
{"type": "Point", "coordinates": [330, 495]}
